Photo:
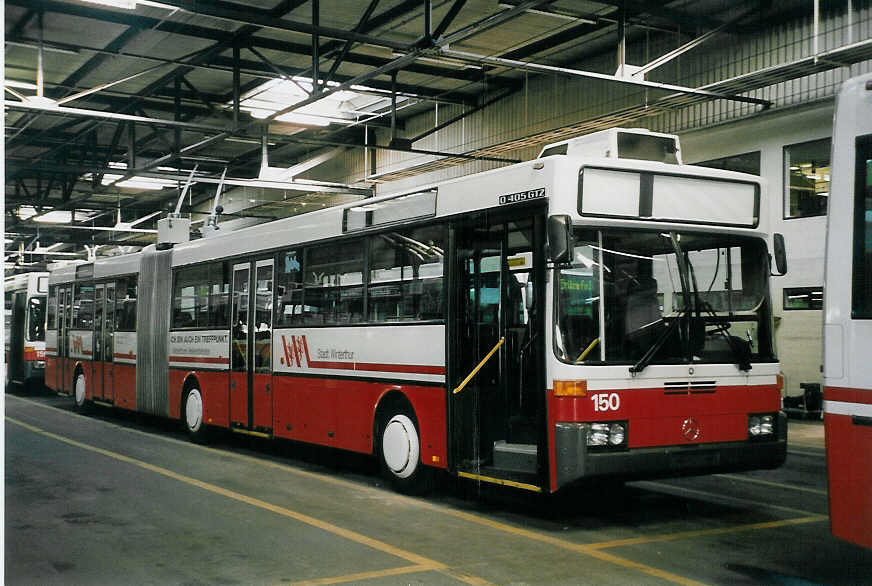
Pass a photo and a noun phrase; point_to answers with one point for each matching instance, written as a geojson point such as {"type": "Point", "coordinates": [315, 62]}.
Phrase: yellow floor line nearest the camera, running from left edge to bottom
{"type": "Point", "coordinates": [301, 517]}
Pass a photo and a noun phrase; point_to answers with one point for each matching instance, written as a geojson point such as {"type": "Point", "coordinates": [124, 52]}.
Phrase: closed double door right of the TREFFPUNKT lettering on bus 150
{"type": "Point", "coordinates": [251, 352]}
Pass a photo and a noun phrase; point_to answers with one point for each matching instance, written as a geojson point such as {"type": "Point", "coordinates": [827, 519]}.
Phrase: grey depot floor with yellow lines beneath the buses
{"type": "Point", "coordinates": [117, 499]}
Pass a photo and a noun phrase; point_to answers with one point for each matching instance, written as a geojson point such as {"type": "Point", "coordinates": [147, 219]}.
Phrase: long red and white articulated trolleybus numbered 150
{"type": "Point", "coordinates": [600, 312]}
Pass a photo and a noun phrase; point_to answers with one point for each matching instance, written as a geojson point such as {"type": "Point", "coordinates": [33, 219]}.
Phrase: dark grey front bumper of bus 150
{"type": "Point", "coordinates": [575, 462]}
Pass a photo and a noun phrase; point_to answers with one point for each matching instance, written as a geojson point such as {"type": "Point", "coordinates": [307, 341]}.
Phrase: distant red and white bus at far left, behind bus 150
{"type": "Point", "coordinates": [25, 304]}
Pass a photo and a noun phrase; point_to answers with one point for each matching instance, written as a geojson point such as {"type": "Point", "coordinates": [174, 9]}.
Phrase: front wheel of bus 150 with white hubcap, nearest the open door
{"type": "Point", "coordinates": [399, 451]}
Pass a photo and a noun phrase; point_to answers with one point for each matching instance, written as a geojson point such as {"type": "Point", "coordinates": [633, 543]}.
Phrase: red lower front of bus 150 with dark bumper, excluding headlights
{"type": "Point", "coordinates": [669, 432]}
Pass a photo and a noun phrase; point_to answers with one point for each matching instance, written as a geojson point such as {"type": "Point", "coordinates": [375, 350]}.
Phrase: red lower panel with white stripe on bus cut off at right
{"type": "Point", "coordinates": [849, 463]}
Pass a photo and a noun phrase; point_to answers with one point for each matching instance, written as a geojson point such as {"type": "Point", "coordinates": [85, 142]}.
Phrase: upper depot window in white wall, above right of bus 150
{"type": "Point", "coordinates": [806, 179]}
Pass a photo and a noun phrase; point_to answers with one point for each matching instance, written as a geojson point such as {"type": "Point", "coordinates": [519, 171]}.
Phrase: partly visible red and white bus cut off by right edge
{"type": "Point", "coordinates": [848, 317]}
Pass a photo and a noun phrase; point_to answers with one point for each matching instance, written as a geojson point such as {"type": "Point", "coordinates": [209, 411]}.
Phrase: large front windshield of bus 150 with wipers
{"type": "Point", "coordinates": [644, 297]}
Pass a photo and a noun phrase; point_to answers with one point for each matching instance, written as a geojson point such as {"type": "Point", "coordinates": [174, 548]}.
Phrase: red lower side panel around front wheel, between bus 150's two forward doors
{"type": "Point", "coordinates": [340, 413]}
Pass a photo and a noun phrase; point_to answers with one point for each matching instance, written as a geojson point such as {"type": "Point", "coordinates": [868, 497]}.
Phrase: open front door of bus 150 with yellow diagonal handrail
{"type": "Point", "coordinates": [498, 415]}
